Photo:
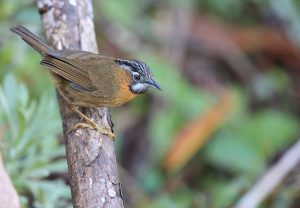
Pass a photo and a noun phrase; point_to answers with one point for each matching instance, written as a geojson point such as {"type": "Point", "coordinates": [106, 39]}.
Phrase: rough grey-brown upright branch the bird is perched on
{"type": "Point", "coordinates": [94, 180]}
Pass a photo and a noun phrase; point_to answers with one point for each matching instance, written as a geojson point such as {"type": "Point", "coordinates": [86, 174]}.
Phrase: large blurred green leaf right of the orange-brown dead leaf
{"type": "Point", "coordinates": [246, 144]}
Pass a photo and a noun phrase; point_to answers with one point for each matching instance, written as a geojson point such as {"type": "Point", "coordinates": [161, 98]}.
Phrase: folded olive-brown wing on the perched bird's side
{"type": "Point", "coordinates": [89, 71]}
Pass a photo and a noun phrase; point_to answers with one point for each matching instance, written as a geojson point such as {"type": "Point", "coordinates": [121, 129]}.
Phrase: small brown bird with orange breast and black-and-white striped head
{"type": "Point", "coordinates": [86, 79]}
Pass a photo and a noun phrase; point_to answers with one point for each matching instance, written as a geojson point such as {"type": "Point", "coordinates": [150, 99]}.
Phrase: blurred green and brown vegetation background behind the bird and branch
{"type": "Point", "coordinates": [229, 108]}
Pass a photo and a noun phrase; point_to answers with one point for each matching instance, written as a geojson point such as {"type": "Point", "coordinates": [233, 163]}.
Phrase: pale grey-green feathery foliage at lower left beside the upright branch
{"type": "Point", "coordinates": [29, 145]}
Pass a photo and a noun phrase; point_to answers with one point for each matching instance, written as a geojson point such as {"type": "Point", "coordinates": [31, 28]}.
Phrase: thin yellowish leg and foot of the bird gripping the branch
{"type": "Point", "coordinates": [91, 124]}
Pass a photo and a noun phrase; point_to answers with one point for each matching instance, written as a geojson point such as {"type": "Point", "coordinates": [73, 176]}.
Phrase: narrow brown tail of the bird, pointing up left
{"type": "Point", "coordinates": [35, 42]}
